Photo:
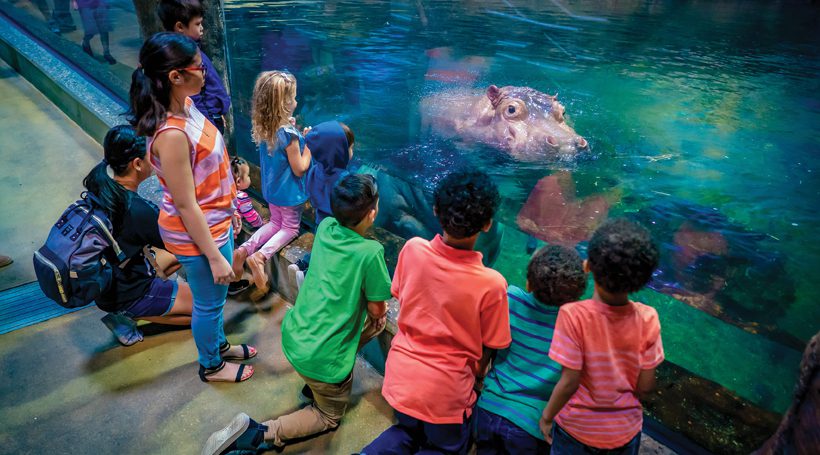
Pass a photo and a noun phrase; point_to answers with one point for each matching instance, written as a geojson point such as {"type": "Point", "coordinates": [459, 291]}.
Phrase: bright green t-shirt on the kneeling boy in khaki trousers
{"type": "Point", "coordinates": [322, 331]}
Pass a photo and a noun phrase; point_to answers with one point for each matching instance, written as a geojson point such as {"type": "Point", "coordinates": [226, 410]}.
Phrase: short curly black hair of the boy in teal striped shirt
{"type": "Point", "coordinates": [556, 275]}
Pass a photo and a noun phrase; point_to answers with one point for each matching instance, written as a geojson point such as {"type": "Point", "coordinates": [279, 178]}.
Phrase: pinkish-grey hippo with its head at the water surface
{"type": "Point", "coordinates": [524, 122]}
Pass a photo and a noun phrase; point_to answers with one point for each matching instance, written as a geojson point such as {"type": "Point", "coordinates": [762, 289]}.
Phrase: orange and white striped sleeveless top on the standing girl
{"type": "Point", "coordinates": [215, 188]}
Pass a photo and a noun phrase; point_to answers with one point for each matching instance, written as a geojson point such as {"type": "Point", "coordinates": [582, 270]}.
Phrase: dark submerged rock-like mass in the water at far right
{"type": "Point", "coordinates": [720, 267]}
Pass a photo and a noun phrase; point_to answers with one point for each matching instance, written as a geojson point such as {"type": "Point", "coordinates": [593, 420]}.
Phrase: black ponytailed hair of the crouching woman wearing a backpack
{"type": "Point", "coordinates": [121, 146]}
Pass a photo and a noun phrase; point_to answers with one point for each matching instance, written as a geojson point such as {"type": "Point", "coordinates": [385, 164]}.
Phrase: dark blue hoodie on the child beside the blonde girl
{"type": "Point", "coordinates": [328, 145]}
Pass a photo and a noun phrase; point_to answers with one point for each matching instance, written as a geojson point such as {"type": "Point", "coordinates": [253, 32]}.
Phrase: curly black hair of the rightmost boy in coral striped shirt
{"type": "Point", "coordinates": [622, 256]}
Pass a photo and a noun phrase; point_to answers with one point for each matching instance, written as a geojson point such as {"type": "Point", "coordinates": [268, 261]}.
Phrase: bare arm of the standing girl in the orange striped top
{"type": "Point", "coordinates": [173, 149]}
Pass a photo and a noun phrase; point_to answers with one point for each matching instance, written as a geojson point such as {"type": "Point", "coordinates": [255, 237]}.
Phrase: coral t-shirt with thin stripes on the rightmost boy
{"type": "Point", "coordinates": [610, 345]}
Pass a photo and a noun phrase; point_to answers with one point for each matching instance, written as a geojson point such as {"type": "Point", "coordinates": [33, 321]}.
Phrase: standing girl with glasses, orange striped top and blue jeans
{"type": "Point", "coordinates": [189, 156]}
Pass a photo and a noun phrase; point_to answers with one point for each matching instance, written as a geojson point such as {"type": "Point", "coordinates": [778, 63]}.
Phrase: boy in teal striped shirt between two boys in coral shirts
{"type": "Point", "coordinates": [523, 376]}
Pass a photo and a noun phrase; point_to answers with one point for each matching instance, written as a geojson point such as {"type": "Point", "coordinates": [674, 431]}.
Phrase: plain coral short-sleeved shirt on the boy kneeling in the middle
{"type": "Point", "coordinates": [451, 306]}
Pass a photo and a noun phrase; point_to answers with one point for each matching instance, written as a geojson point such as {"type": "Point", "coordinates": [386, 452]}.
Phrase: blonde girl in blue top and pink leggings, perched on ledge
{"type": "Point", "coordinates": [284, 160]}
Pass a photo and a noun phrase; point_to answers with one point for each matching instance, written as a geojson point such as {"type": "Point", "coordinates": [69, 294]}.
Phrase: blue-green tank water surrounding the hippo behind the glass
{"type": "Point", "coordinates": [702, 119]}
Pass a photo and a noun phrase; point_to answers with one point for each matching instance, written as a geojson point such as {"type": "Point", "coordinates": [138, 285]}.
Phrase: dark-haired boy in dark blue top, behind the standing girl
{"type": "Point", "coordinates": [186, 17]}
